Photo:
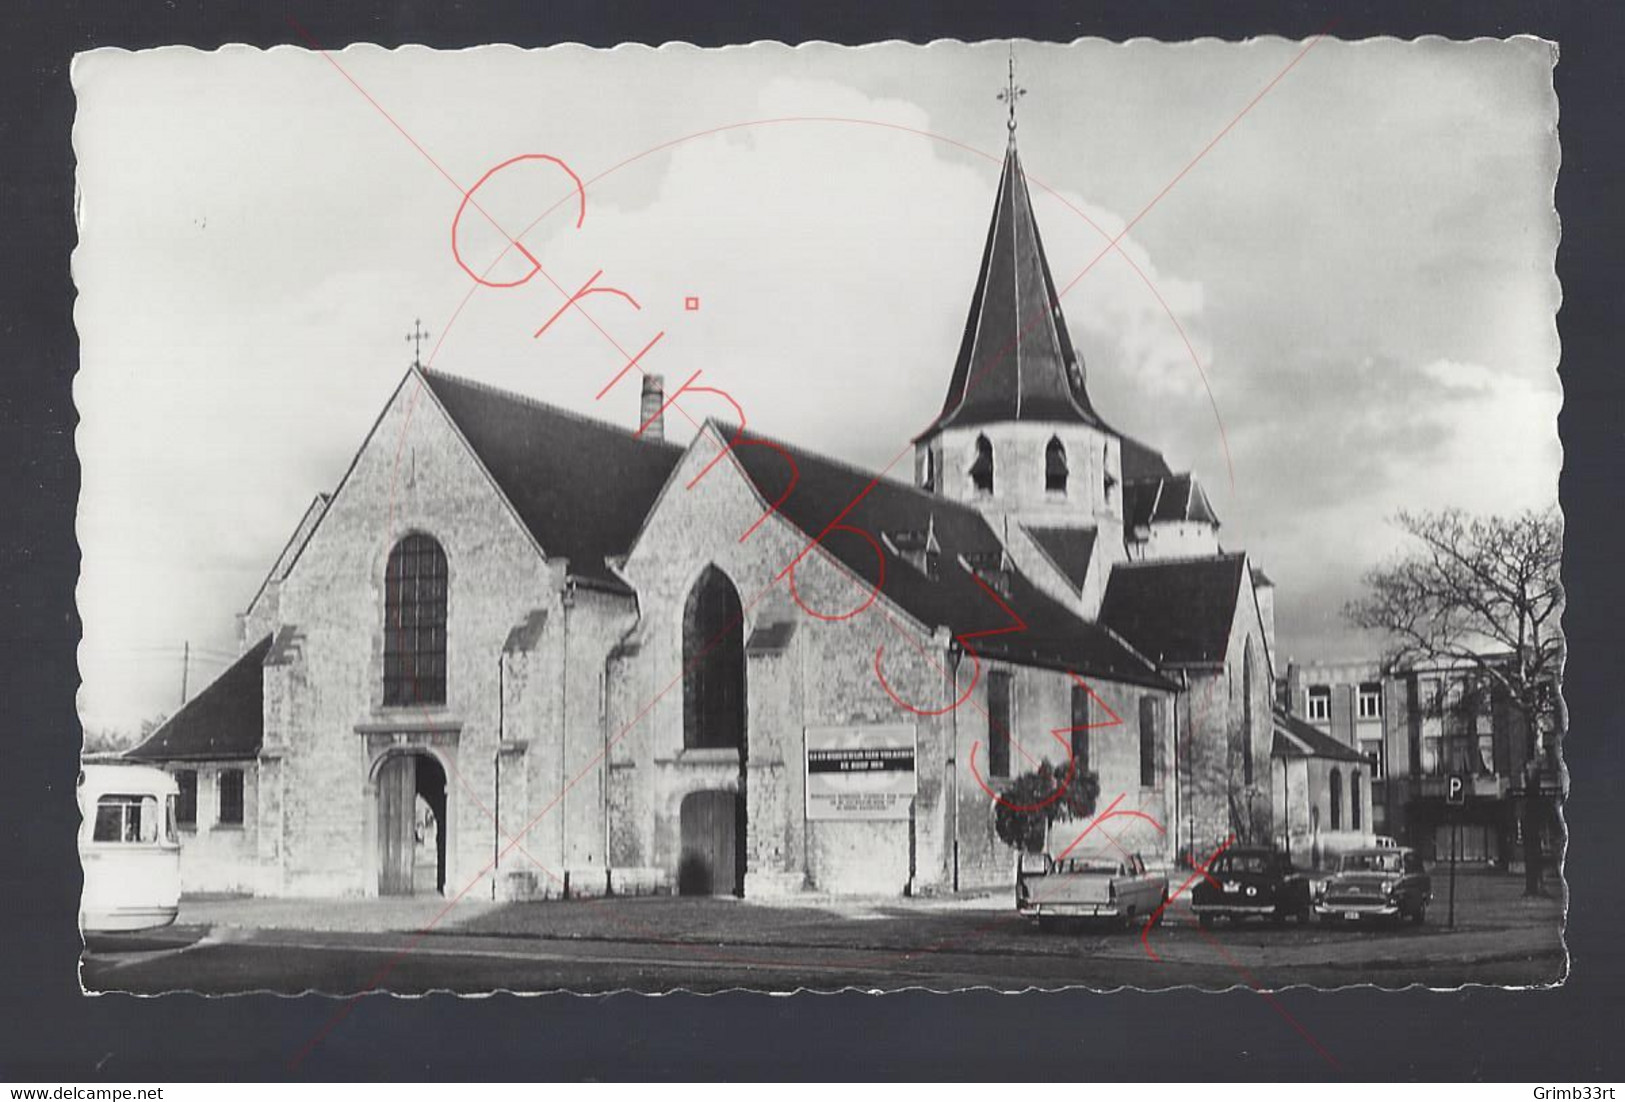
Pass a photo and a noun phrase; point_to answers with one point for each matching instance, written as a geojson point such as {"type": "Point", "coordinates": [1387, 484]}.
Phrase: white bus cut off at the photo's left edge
{"type": "Point", "coordinates": [129, 848]}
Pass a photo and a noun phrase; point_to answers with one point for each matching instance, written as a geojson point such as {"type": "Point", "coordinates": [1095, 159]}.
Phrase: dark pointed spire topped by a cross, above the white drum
{"type": "Point", "coordinates": [1016, 362]}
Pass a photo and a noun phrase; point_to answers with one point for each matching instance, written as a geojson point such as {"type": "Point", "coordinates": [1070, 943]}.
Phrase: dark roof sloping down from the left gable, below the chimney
{"type": "Point", "coordinates": [579, 485]}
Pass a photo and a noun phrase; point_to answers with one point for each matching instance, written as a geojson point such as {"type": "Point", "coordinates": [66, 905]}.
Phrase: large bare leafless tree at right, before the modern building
{"type": "Point", "coordinates": [1484, 594]}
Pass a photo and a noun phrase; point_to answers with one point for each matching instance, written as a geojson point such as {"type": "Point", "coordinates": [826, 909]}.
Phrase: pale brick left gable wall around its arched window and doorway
{"type": "Point", "coordinates": [326, 726]}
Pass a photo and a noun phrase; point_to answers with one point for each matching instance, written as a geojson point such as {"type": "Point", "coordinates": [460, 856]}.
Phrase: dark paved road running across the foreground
{"type": "Point", "coordinates": [945, 953]}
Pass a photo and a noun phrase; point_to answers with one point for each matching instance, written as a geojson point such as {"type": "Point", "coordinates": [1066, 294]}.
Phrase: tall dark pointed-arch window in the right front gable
{"type": "Point", "coordinates": [713, 666]}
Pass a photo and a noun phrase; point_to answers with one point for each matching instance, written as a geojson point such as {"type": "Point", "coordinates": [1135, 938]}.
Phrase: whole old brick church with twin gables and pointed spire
{"type": "Point", "coordinates": [526, 654]}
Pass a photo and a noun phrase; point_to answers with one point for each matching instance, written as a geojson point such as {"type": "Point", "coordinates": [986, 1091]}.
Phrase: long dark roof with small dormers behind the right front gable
{"type": "Point", "coordinates": [826, 490]}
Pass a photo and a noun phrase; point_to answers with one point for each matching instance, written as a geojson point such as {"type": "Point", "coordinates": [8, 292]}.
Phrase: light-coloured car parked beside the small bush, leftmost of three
{"type": "Point", "coordinates": [1114, 888]}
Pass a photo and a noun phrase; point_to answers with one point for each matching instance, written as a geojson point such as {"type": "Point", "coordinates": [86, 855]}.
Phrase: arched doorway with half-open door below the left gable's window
{"type": "Point", "coordinates": [412, 825]}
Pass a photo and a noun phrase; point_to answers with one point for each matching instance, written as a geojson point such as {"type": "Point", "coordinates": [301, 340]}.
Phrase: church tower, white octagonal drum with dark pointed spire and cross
{"type": "Point", "coordinates": [1018, 436]}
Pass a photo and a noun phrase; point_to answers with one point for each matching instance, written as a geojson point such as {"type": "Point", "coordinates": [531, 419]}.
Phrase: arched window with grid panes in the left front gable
{"type": "Point", "coordinates": [415, 623]}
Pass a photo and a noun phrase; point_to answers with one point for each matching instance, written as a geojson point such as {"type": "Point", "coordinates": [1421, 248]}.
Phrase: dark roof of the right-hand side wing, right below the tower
{"type": "Point", "coordinates": [1176, 612]}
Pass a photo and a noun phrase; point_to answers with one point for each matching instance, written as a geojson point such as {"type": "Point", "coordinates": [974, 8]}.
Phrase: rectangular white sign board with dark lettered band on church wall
{"type": "Point", "coordinates": [860, 771]}
